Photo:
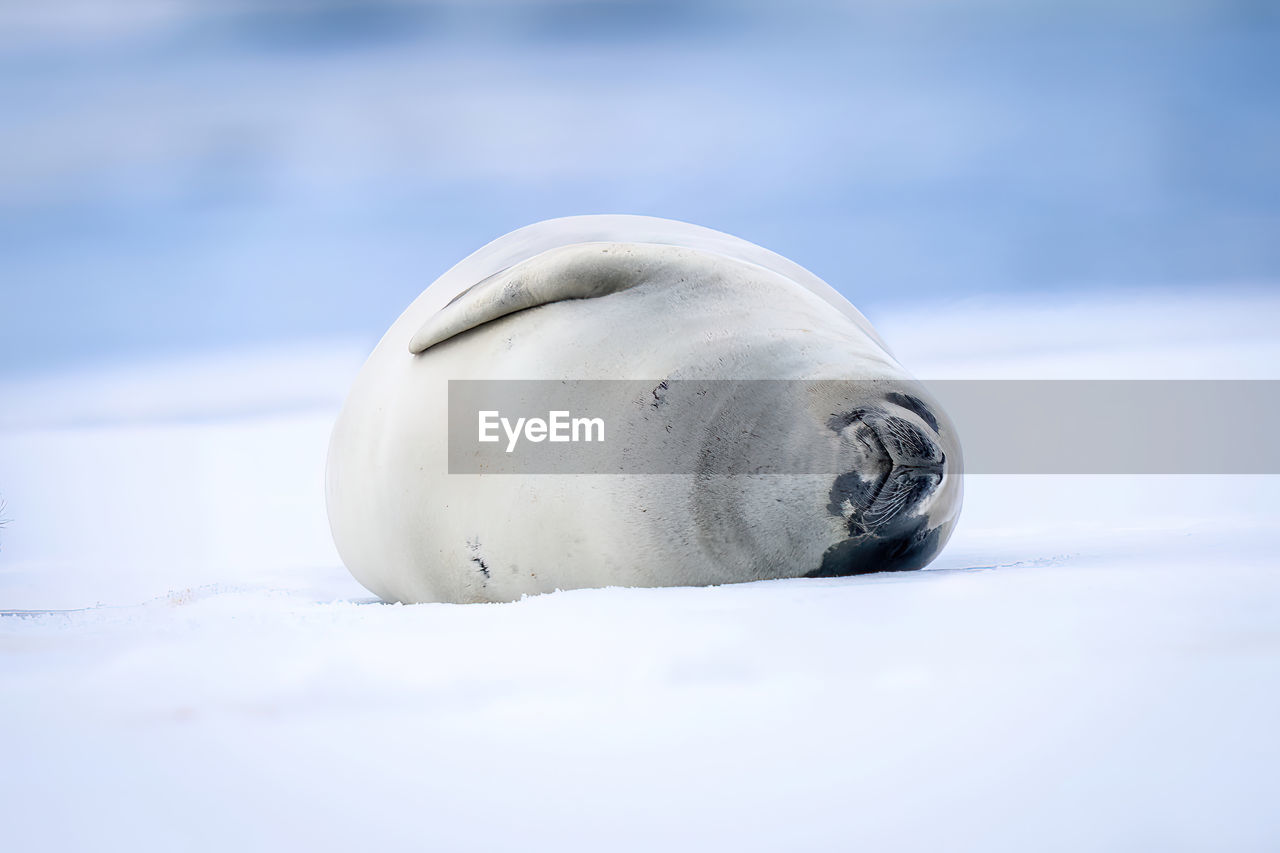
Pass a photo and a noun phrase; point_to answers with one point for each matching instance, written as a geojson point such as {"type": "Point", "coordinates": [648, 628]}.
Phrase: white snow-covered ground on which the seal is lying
{"type": "Point", "coordinates": [1092, 664]}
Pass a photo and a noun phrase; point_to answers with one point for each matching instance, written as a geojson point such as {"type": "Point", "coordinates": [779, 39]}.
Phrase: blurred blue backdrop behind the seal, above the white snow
{"type": "Point", "coordinates": [190, 176]}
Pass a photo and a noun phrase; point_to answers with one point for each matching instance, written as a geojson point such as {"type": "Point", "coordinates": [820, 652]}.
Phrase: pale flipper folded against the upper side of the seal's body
{"type": "Point", "coordinates": [578, 272]}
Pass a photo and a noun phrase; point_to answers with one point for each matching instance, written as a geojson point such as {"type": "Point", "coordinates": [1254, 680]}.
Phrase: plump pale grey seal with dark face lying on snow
{"type": "Point", "coordinates": [865, 468]}
